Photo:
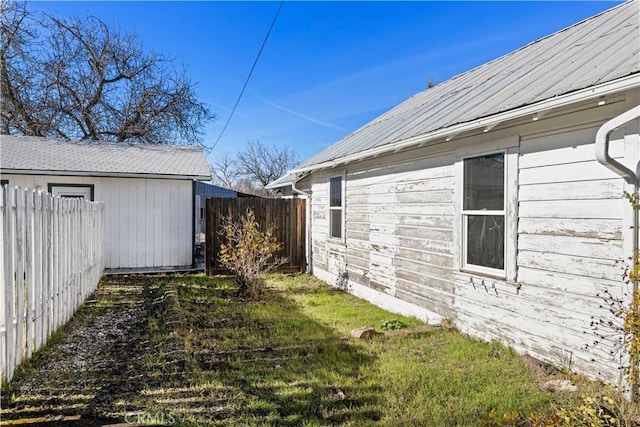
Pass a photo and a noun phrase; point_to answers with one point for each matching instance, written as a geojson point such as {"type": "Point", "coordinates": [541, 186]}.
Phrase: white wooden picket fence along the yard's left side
{"type": "Point", "coordinates": [52, 259]}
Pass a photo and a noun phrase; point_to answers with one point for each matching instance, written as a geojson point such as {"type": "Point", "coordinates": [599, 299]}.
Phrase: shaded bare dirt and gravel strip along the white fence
{"type": "Point", "coordinates": [94, 363]}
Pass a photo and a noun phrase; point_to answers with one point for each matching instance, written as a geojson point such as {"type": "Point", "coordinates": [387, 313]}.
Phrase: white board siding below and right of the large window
{"type": "Point", "coordinates": [570, 214]}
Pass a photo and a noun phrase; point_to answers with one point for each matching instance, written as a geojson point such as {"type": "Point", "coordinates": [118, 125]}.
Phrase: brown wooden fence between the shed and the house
{"type": "Point", "coordinates": [286, 215]}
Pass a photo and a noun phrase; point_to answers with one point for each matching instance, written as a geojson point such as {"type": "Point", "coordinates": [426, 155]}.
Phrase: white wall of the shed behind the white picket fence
{"type": "Point", "coordinates": [147, 221]}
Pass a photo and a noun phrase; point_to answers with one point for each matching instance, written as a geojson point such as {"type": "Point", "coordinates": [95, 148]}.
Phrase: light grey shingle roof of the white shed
{"type": "Point", "coordinates": [95, 158]}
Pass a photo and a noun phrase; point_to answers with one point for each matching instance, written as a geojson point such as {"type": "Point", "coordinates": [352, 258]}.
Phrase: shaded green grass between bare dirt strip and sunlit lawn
{"type": "Point", "coordinates": [266, 362]}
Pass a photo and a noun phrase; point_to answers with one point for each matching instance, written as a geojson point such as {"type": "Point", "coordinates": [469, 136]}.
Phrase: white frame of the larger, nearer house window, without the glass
{"type": "Point", "coordinates": [465, 214]}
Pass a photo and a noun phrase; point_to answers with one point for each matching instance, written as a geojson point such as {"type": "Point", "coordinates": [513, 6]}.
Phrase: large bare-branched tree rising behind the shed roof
{"type": "Point", "coordinates": [82, 79]}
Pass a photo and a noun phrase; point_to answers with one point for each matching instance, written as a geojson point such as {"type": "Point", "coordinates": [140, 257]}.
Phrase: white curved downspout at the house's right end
{"type": "Point", "coordinates": [602, 155]}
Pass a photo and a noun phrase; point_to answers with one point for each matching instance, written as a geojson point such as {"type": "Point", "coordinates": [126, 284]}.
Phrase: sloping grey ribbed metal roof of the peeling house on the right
{"type": "Point", "coordinates": [597, 50]}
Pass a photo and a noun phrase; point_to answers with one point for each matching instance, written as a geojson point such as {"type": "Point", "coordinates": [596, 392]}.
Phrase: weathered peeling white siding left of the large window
{"type": "Point", "coordinates": [398, 232]}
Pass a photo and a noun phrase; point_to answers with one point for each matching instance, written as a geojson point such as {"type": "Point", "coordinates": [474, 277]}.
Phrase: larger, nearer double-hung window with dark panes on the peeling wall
{"type": "Point", "coordinates": [483, 213]}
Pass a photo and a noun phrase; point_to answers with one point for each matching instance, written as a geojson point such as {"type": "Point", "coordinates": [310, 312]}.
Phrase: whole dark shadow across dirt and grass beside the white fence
{"type": "Point", "coordinates": [184, 350]}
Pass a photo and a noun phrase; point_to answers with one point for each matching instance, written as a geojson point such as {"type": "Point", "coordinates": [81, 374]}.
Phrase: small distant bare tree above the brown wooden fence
{"type": "Point", "coordinates": [264, 163]}
